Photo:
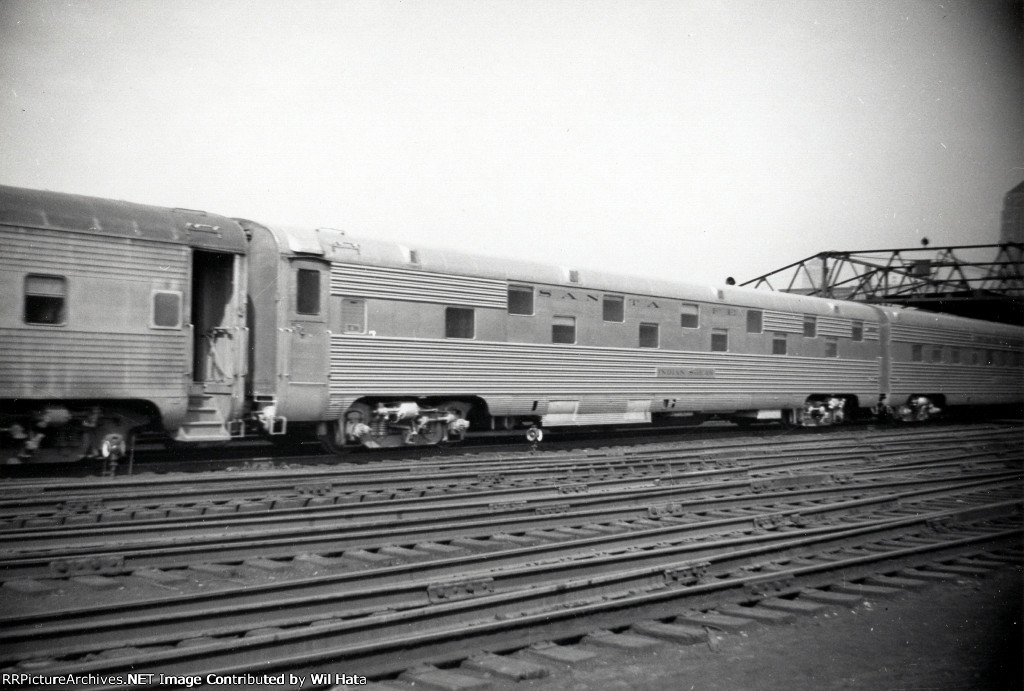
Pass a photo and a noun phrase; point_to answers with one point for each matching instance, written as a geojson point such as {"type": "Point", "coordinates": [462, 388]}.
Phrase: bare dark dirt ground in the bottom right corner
{"type": "Point", "coordinates": [959, 635]}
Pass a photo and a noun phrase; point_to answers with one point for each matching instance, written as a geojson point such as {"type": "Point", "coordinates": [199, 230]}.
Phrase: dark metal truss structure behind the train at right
{"type": "Point", "coordinates": [978, 281]}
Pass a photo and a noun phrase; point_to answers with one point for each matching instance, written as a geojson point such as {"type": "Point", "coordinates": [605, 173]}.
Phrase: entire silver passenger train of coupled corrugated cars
{"type": "Point", "coordinates": [118, 319]}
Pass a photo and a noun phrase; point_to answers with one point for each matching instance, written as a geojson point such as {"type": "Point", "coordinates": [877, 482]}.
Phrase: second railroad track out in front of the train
{"type": "Point", "coordinates": [178, 542]}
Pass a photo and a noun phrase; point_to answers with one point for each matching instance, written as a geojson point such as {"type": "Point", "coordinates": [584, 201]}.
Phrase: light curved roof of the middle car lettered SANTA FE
{"type": "Point", "coordinates": [342, 247]}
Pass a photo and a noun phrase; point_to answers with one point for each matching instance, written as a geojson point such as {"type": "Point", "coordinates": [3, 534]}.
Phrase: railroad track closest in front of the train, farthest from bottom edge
{"type": "Point", "coordinates": [50, 503]}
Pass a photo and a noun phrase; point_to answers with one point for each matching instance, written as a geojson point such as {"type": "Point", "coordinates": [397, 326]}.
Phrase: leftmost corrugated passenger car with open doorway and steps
{"type": "Point", "coordinates": [116, 318]}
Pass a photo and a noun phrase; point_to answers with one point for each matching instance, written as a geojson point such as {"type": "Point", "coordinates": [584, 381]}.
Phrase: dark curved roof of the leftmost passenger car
{"type": "Point", "coordinates": [59, 211]}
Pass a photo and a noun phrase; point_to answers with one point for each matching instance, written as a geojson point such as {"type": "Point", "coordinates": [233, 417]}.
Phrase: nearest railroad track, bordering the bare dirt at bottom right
{"type": "Point", "coordinates": [735, 574]}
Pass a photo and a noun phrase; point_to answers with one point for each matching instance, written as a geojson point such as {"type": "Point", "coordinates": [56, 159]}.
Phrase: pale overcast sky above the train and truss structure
{"type": "Point", "coordinates": [689, 140]}
